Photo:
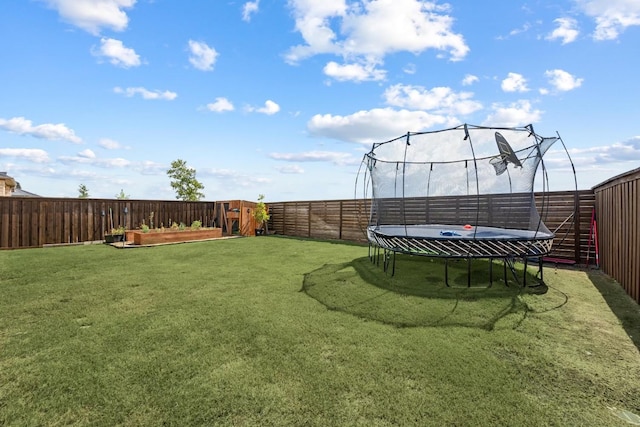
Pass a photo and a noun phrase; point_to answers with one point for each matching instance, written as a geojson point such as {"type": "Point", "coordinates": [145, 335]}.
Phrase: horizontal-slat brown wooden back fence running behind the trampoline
{"type": "Point", "coordinates": [347, 219]}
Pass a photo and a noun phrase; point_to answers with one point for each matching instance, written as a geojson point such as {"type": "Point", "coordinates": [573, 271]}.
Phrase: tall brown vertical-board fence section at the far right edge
{"type": "Point", "coordinates": [618, 229]}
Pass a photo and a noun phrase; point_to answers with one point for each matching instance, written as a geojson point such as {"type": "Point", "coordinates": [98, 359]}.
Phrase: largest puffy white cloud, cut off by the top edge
{"type": "Point", "coordinates": [373, 29]}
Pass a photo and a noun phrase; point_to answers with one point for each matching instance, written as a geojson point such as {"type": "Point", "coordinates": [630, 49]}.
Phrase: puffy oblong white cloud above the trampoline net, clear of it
{"type": "Point", "coordinates": [442, 100]}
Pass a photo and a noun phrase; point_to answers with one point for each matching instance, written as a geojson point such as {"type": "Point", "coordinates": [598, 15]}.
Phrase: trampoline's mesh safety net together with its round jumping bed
{"type": "Point", "coordinates": [416, 180]}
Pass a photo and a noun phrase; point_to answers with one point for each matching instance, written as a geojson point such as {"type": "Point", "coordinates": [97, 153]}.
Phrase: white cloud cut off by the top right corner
{"type": "Point", "coordinates": [612, 16]}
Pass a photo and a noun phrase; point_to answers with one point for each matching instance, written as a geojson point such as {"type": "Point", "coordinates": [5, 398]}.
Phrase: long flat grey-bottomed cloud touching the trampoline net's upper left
{"type": "Point", "coordinates": [373, 125]}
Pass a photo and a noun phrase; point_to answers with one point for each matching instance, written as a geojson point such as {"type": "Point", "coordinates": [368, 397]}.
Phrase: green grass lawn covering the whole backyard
{"type": "Point", "coordinates": [278, 331]}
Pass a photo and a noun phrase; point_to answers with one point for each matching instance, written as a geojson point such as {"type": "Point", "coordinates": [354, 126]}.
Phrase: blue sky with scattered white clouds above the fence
{"type": "Point", "coordinates": [283, 98]}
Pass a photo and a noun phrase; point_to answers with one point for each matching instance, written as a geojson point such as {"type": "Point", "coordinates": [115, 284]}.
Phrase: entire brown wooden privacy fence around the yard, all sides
{"type": "Point", "coordinates": [34, 221]}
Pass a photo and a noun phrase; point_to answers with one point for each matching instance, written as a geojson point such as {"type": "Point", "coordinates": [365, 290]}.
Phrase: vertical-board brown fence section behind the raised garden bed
{"type": "Point", "coordinates": [35, 221]}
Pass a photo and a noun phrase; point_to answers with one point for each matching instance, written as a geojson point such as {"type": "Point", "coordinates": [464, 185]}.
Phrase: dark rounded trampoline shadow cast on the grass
{"type": "Point", "coordinates": [417, 296]}
